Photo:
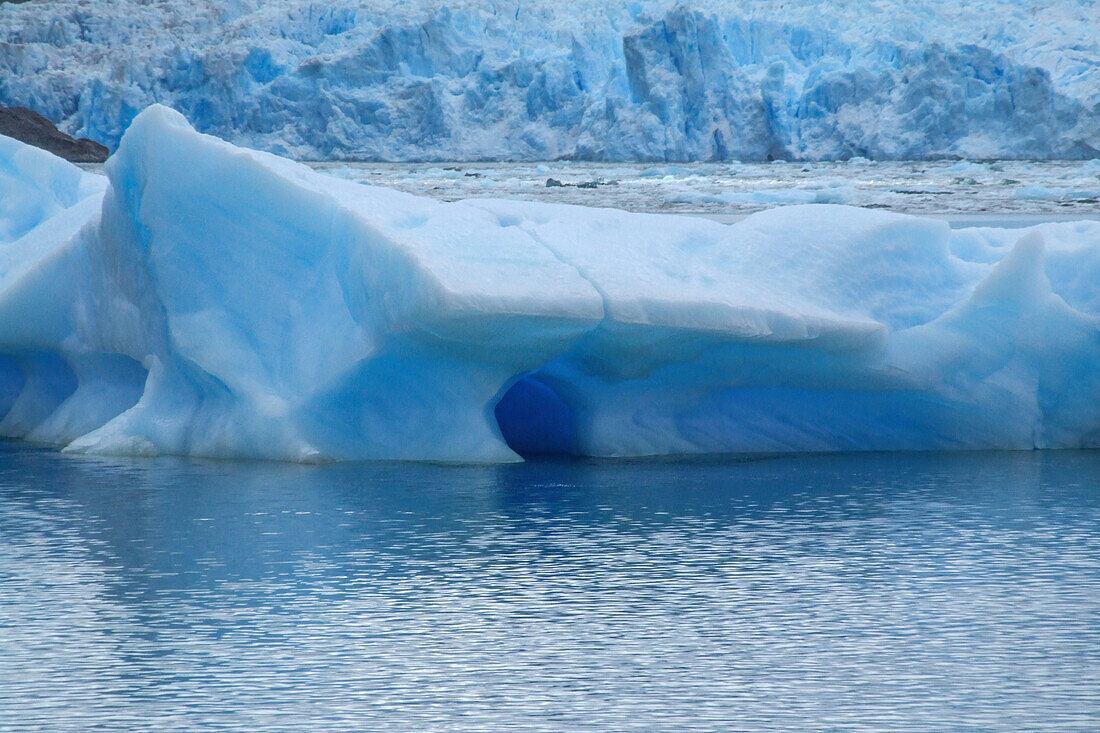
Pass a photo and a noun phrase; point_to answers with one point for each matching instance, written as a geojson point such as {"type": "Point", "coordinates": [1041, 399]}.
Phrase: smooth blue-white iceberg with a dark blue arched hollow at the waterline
{"type": "Point", "coordinates": [213, 301]}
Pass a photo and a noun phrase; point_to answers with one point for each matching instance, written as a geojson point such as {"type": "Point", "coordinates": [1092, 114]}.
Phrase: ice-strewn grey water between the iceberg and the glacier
{"type": "Point", "coordinates": [971, 192]}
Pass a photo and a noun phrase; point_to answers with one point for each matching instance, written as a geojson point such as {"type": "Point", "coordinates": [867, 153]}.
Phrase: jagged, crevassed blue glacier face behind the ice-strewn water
{"type": "Point", "coordinates": [533, 80]}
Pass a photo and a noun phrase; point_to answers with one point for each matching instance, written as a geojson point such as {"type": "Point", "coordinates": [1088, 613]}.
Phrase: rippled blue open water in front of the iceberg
{"type": "Point", "coordinates": [912, 592]}
